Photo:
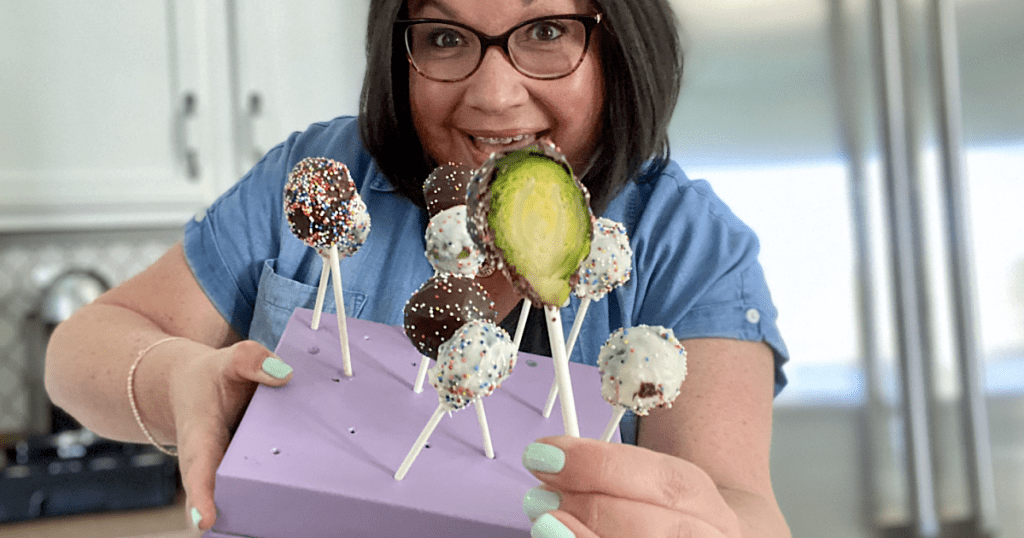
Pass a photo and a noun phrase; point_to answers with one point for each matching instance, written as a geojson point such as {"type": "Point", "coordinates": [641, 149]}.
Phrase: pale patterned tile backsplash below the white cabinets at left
{"type": "Point", "coordinates": [29, 264]}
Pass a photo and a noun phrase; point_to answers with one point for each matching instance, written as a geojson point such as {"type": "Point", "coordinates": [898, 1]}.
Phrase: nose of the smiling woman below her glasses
{"type": "Point", "coordinates": [496, 87]}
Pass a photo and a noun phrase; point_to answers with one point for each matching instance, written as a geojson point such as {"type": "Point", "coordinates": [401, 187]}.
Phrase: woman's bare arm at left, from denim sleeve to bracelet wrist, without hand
{"type": "Point", "coordinates": [90, 356]}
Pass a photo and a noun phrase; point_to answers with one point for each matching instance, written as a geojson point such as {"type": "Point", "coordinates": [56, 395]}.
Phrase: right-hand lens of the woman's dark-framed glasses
{"type": "Point", "coordinates": [549, 49]}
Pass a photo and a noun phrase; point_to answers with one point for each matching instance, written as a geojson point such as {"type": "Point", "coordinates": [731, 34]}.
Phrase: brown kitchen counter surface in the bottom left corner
{"type": "Point", "coordinates": [166, 522]}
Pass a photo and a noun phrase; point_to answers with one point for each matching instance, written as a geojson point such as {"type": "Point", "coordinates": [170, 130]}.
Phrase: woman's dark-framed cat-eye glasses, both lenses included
{"type": "Point", "coordinates": [548, 48]}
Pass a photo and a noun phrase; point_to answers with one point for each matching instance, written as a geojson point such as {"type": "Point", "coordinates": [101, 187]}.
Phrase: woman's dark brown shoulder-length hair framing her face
{"type": "Point", "coordinates": [644, 64]}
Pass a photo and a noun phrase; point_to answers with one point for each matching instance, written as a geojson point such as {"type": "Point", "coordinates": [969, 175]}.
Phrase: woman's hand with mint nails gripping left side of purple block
{"type": "Point", "coordinates": [208, 396]}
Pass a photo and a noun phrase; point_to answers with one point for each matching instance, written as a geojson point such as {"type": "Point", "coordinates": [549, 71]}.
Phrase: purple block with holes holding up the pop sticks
{"type": "Point", "coordinates": [318, 458]}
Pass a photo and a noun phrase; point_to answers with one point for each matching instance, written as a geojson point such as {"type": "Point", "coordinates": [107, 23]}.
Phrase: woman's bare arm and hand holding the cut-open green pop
{"type": "Point", "coordinates": [704, 472]}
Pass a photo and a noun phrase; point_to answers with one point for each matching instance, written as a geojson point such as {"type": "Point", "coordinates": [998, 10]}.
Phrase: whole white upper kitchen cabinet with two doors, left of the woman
{"type": "Point", "coordinates": [139, 113]}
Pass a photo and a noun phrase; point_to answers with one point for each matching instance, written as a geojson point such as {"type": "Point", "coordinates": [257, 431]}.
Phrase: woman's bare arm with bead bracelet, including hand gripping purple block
{"type": "Point", "coordinates": [190, 392]}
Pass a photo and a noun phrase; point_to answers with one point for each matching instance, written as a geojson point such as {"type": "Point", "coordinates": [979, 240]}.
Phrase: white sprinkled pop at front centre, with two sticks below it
{"type": "Point", "coordinates": [471, 366]}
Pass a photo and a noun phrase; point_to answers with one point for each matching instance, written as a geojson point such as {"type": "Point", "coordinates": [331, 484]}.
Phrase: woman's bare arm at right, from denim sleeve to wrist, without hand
{"type": "Point", "coordinates": [721, 423]}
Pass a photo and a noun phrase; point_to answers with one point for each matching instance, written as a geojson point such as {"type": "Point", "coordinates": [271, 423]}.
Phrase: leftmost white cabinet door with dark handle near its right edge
{"type": "Point", "coordinates": [102, 122]}
